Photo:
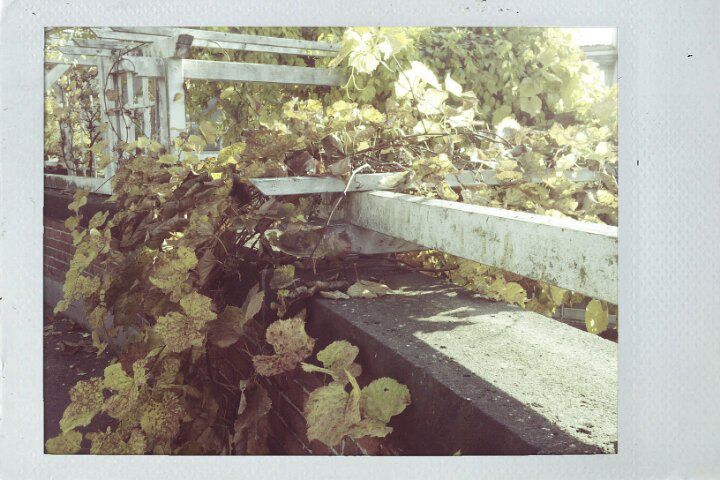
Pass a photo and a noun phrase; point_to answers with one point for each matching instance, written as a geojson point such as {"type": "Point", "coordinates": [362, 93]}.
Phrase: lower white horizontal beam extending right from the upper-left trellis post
{"type": "Point", "coordinates": [255, 72]}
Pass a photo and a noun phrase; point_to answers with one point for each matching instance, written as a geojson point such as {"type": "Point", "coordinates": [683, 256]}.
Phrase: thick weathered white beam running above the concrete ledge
{"type": "Point", "coordinates": [567, 253]}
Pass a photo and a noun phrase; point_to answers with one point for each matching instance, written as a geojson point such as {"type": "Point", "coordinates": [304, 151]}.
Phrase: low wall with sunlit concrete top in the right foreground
{"type": "Point", "coordinates": [486, 377]}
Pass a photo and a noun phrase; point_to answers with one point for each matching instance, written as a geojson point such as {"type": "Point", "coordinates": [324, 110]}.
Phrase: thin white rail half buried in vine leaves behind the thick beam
{"type": "Point", "coordinates": [383, 181]}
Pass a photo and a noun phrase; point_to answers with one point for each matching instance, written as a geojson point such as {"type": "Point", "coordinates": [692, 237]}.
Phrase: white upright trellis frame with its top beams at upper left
{"type": "Point", "coordinates": [145, 69]}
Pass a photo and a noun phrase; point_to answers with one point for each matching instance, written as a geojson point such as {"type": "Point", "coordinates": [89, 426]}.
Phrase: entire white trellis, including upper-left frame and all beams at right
{"type": "Point", "coordinates": [575, 255]}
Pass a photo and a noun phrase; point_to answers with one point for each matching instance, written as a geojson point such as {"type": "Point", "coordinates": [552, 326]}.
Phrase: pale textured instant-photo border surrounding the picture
{"type": "Point", "coordinates": [669, 354]}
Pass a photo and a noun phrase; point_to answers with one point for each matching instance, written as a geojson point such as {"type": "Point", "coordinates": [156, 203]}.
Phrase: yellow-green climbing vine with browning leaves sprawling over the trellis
{"type": "Point", "coordinates": [203, 272]}
